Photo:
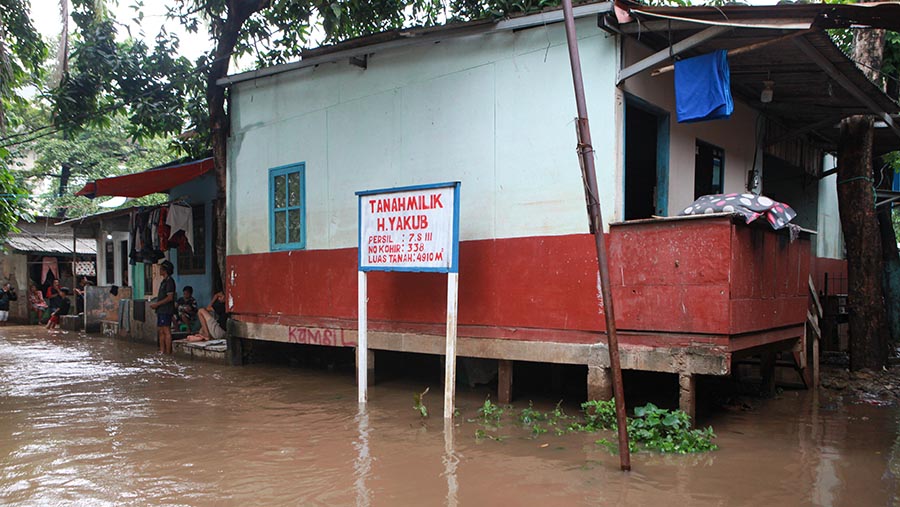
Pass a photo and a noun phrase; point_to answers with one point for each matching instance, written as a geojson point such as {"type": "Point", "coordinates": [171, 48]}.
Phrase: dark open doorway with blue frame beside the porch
{"type": "Point", "coordinates": [646, 159]}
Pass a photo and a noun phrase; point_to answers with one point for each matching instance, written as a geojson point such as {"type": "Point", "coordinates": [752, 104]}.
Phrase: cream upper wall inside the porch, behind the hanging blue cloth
{"type": "Point", "coordinates": [735, 135]}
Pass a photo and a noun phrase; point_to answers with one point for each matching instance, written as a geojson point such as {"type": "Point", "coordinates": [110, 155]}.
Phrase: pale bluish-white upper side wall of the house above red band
{"type": "Point", "coordinates": [493, 111]}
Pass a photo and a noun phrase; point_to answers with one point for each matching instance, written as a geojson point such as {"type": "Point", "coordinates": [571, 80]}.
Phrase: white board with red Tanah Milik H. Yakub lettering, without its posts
{"type": "Point", "coordinates": [409, 228]}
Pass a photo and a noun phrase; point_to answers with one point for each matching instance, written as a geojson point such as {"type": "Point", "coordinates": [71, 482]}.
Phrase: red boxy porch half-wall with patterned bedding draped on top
{"type": "Point", "coordinates": [707, 276]}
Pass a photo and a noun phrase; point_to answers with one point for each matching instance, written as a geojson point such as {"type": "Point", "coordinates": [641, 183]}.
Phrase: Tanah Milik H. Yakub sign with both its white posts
{"type": "Point", "coordinates": [410, 229]}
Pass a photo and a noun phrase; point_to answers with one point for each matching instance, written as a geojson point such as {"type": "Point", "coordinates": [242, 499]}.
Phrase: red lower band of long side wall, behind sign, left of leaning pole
{"type": "Point", "coordinates": [540, 282]}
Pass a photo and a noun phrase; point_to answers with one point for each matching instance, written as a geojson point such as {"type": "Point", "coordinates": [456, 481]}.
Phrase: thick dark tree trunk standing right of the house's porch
{"type": "Point", "coordinates": [856, 198]}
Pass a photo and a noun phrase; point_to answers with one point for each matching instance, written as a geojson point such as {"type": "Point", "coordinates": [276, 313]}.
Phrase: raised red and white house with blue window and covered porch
{"type": "Point", "coordinates": [490, 104]}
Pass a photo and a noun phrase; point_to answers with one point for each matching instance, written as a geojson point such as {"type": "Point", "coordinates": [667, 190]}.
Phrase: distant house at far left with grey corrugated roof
{"type": "Point", "coordinates": [39, 253]}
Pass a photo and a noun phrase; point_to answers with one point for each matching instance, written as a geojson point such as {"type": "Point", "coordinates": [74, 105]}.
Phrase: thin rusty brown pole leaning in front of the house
{"type": "Point", "coordinates": [589, 175]}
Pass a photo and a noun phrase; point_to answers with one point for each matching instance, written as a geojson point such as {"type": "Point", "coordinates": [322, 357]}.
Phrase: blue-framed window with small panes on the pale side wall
{"type": "Point", "coordinates": [287, 207]}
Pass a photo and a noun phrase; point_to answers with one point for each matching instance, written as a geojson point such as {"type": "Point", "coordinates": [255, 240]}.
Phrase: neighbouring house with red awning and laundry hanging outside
{"type": "Point", "coordinates": [186, 183]}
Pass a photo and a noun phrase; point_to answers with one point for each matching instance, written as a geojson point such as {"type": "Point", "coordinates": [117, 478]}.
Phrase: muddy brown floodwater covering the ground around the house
{"type": "Point", "coordinates": [93, 421]}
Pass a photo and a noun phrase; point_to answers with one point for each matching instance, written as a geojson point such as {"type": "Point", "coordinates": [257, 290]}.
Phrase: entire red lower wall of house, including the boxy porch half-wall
{"type": "Point", "coordinates": [705, 276]}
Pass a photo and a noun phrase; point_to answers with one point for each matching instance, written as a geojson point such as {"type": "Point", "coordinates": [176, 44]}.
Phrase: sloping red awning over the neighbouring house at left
{"type": "Point", "coordinates": [148, 182]}
